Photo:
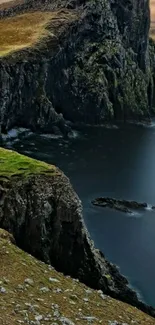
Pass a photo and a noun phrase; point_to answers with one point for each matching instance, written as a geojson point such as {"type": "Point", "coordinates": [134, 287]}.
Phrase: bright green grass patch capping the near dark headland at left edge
{"type": "Point", "coordinates": [13, 164]}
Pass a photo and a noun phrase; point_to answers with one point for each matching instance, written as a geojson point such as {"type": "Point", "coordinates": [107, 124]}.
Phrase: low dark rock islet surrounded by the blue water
{"type": "Point", "coordinates": [122, 205]}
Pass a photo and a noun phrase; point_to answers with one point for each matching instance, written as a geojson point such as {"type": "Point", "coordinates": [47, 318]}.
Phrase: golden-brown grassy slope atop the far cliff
{"type": "Point", "coordinates": [26, 30]}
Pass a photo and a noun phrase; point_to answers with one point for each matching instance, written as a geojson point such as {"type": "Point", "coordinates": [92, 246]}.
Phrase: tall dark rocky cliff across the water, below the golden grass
{"type": "Point", "coordinates": [96, 69]}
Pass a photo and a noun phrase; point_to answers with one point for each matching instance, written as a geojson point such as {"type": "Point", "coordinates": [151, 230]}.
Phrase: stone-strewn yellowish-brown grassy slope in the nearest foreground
{"type": "Point", "coordinates": [22, 301]}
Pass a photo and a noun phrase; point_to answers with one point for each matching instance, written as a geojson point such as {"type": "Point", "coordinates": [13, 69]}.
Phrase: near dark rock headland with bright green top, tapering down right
{"type": "Point", "coordinates": [40, 208]}
